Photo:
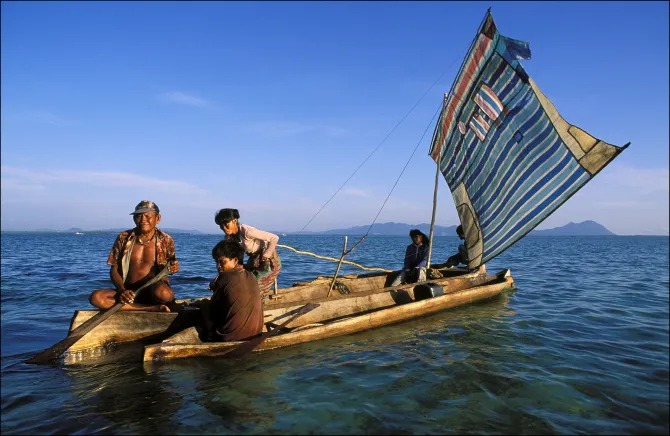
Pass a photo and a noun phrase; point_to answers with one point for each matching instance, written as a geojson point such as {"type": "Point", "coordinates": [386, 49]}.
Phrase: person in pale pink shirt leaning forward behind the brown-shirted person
{"type": "Point", "coordinates": [260, 246]}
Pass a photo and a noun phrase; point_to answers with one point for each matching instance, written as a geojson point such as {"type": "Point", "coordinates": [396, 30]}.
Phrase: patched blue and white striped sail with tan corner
{"type": "Point", "coordinates": [509, 158]}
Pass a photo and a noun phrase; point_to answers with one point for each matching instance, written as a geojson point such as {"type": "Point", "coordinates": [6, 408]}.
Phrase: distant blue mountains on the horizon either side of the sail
{"type": "Point", "coordinates": [586, 228]}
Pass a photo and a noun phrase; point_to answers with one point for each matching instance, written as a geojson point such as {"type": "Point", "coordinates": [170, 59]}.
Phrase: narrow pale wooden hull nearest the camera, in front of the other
{"type": "Point", "coordinates": [336, 317]}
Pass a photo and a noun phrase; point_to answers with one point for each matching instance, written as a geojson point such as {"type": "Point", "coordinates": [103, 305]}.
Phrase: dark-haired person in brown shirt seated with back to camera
{"type": "Point", "coordinates": [236, 310]}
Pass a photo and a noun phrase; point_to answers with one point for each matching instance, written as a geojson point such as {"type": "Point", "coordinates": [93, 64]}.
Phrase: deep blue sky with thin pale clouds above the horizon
{"type": "Point", "coordinates": [269, 107]}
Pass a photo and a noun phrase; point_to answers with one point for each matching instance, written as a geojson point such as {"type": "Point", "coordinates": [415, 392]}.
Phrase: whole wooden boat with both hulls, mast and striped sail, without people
{"type": "Point", "coordinates": [510, 160]}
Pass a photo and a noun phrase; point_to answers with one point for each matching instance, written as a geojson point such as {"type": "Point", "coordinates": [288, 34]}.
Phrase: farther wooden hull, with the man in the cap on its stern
{"type": "Point", "coordinates": [132, 326]}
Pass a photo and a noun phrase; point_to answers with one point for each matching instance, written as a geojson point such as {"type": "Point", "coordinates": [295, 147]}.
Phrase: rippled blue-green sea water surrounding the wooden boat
{"type": "Point", "coordinates": [581, 346]}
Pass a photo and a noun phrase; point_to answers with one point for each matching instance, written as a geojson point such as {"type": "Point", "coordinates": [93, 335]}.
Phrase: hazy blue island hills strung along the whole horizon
{"type": "Point", "coordinates": [585, 228]}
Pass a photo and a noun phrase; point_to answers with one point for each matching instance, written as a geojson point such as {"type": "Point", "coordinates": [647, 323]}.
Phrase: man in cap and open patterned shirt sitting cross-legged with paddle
{"type": "Point", "coordinates": [140, 258]}
